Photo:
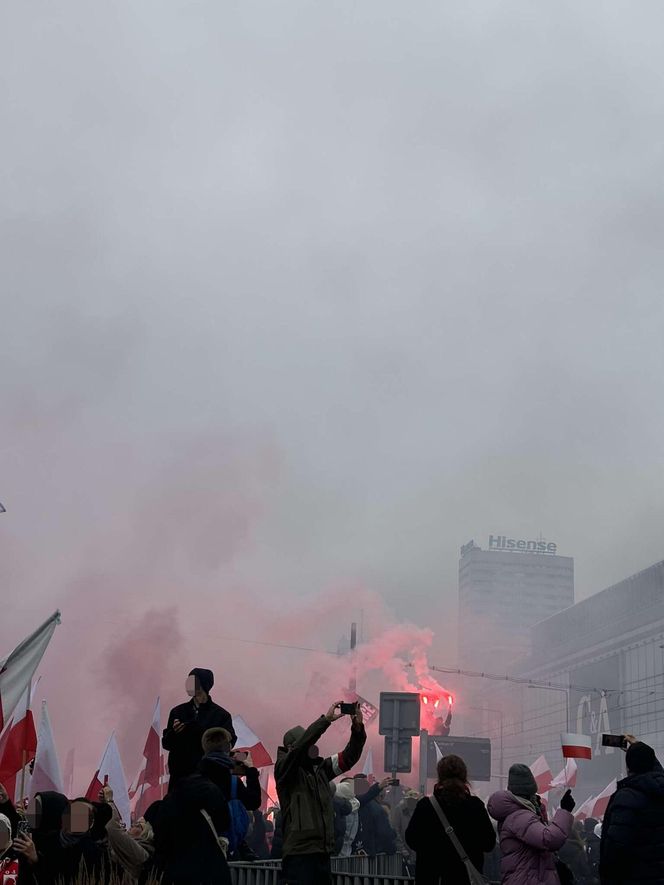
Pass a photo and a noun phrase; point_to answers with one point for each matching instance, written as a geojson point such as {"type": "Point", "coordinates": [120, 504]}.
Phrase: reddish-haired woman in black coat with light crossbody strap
{"type": "Point", "coordinates": [437, 859]}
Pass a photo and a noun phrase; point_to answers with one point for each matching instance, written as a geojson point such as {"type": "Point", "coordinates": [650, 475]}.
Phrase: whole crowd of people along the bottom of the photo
{"type": "Point", "coordinates": [211, 815]}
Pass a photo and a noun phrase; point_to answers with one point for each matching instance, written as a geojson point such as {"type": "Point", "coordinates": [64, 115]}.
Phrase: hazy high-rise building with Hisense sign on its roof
{"type": "Point", "coordinates": [503, 592]}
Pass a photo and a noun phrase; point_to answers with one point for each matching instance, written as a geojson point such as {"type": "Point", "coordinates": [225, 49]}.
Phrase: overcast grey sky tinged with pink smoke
{"type": "Point", "coordinates": [302, 295]}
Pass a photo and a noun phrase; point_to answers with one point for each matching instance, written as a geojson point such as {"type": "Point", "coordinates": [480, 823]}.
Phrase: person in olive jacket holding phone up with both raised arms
{"type": "Point", "coordinates": [303, 785]}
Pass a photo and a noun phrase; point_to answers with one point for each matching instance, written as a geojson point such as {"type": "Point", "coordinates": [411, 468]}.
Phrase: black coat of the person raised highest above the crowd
{"type": "Point", "coordinates": [184, 748]}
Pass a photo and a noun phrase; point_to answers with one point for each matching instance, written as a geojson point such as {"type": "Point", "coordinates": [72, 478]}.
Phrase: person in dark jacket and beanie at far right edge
{"type": "Point", "coordinates": [632, 841]}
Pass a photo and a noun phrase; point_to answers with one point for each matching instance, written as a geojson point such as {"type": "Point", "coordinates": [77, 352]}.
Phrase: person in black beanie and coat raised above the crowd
{"type": "Point", "coordinates": [187, 724]}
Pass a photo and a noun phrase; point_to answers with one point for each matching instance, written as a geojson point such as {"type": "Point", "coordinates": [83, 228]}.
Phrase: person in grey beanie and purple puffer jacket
{"type": "Point", "coordinates": [528, 842]}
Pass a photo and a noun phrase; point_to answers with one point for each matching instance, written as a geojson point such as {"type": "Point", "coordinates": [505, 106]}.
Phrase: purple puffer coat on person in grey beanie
{"type": "Point", "coordinates": [526, 843]}
